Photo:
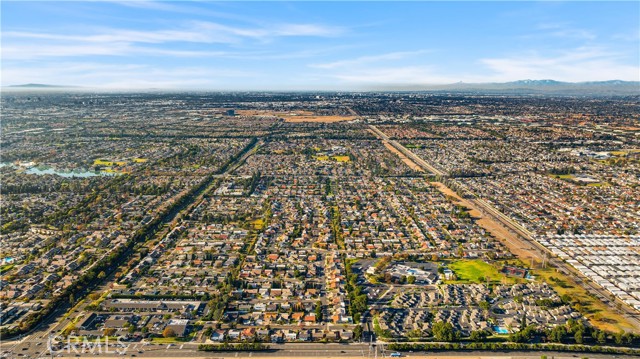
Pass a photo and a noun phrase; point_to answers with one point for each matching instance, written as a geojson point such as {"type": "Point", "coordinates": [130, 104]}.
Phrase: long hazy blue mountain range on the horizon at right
{"type": "Point", "coordinates": [612, 87]}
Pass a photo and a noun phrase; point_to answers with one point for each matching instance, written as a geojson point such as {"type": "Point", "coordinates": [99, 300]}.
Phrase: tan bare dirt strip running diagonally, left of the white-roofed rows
{"type": "Point", "coordinates": [515, 245]}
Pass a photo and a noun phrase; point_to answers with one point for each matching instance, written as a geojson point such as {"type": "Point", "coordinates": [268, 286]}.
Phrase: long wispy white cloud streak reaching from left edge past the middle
{"type": "Point", "coordinates": [120, 42]}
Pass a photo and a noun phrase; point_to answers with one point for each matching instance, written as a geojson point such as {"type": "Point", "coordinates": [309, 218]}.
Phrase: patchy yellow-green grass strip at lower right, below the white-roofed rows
{"type": "Point", "coordinates": [598, 313]}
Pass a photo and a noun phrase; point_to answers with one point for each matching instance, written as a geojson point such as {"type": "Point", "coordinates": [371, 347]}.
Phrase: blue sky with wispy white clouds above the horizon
{"type": "Point", "coordinates": [315, 45]}
